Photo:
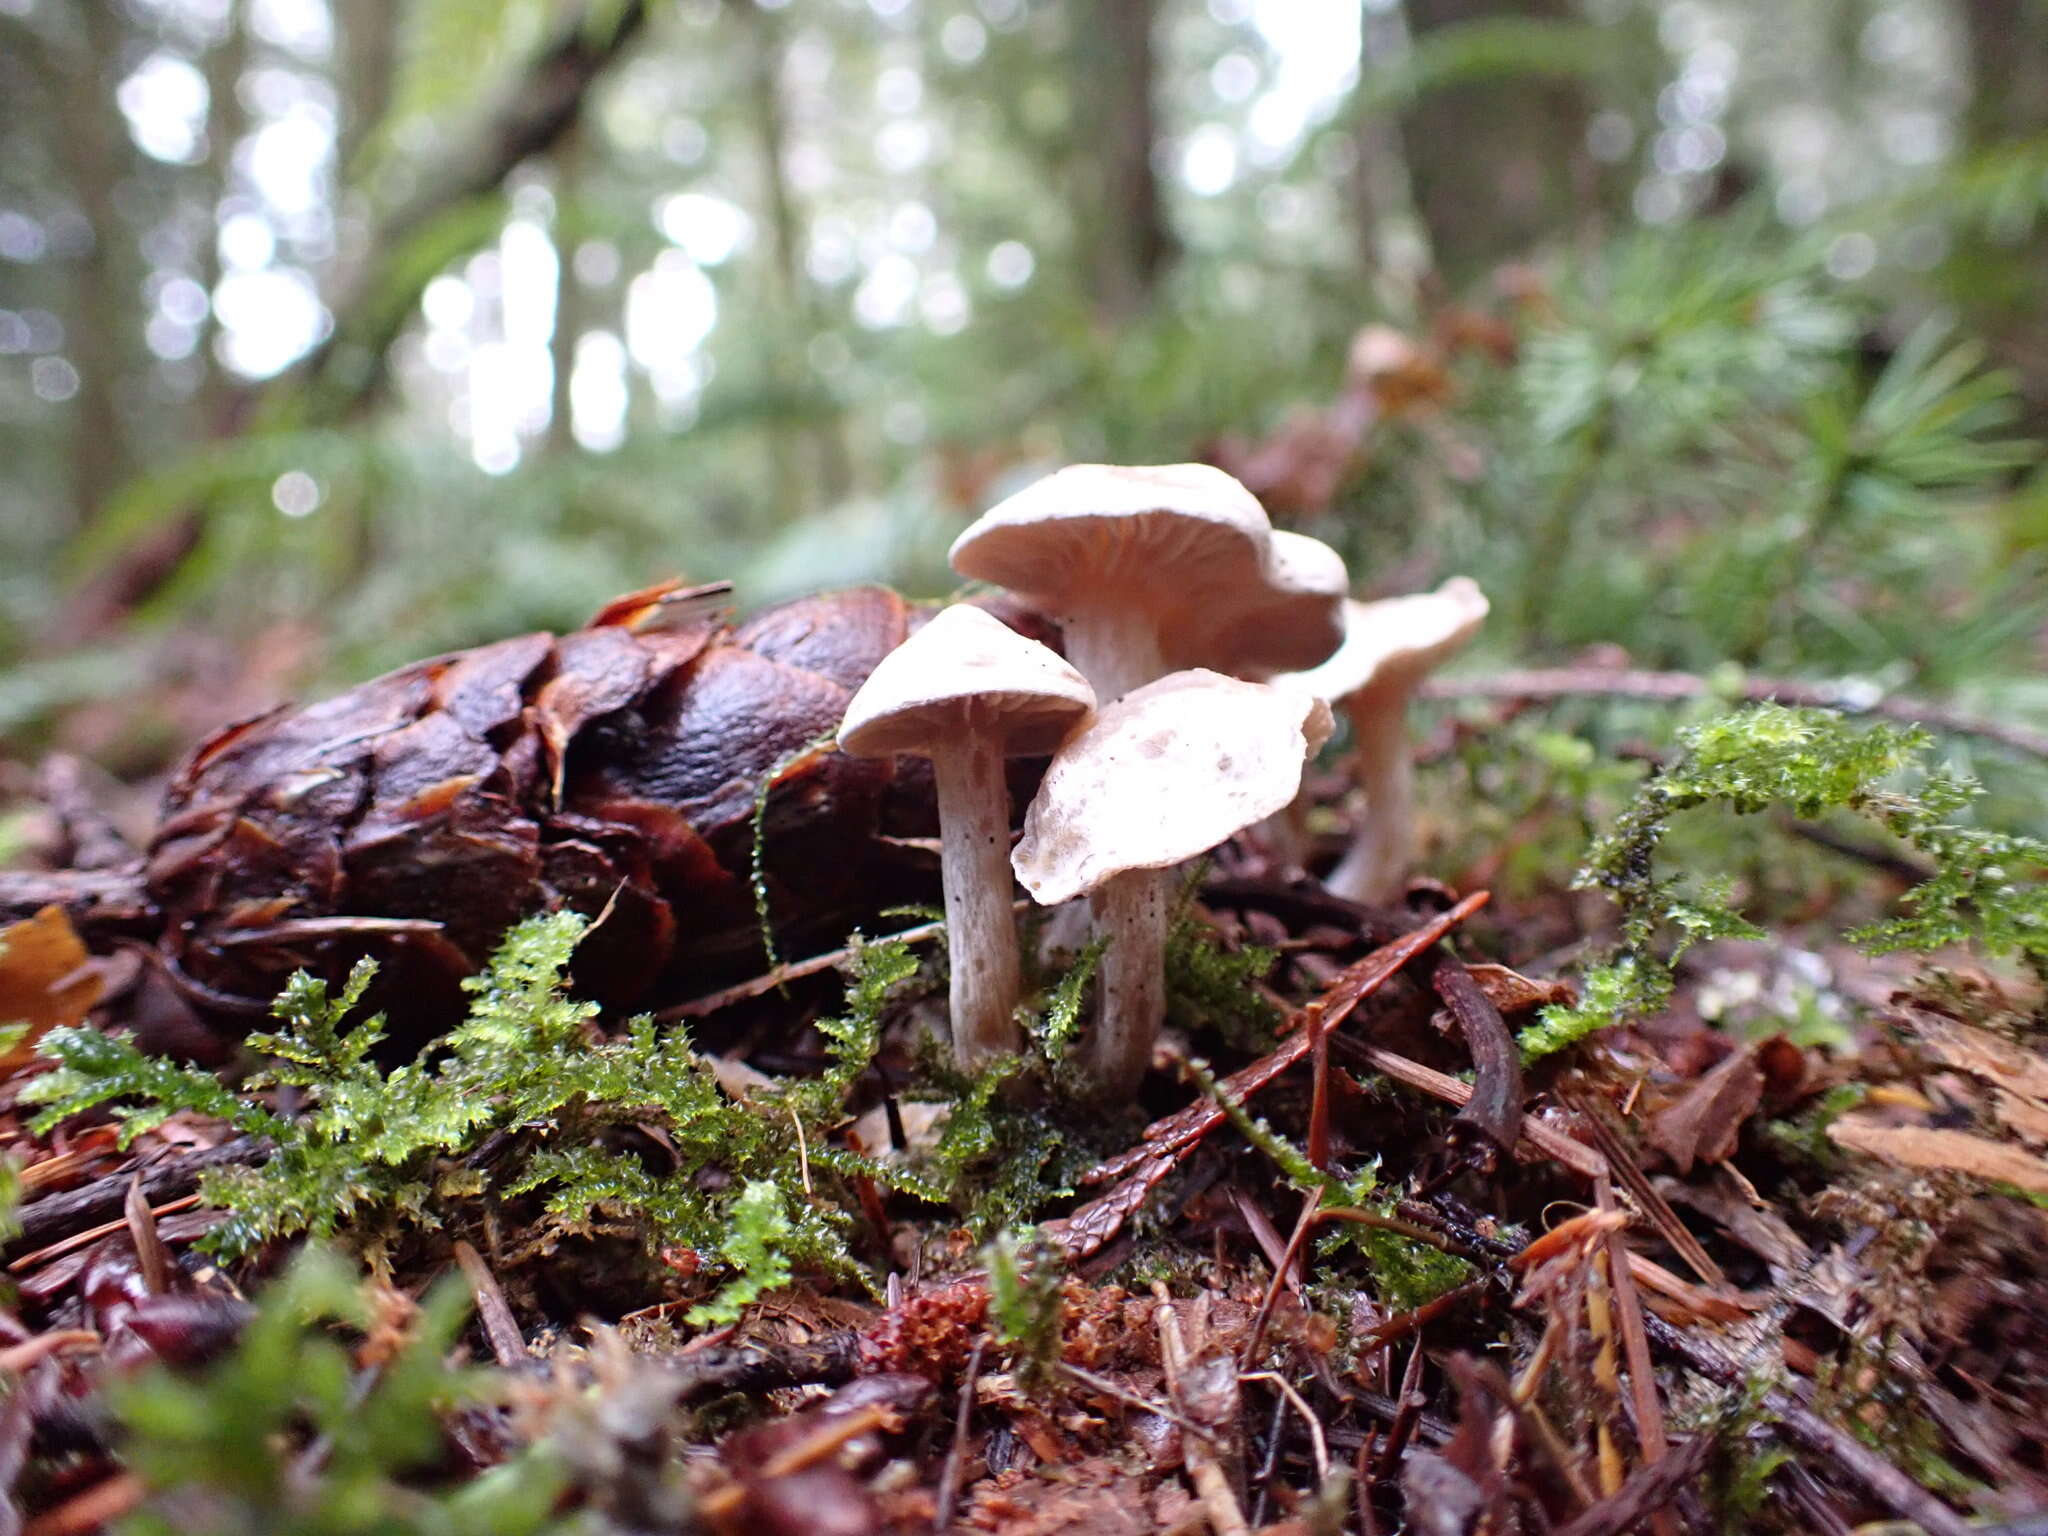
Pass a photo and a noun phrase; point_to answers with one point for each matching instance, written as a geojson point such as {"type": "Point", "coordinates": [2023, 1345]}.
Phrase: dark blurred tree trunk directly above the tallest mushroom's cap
{"type": "Point", "coordinates": [1119, 214]}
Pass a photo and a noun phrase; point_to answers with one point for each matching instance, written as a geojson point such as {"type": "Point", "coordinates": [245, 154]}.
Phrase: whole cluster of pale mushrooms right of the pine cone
{"type": "Point", "coordinates": [1203, 656]}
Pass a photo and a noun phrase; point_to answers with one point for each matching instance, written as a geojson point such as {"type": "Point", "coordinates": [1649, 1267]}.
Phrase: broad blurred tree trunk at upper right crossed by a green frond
{"type": "Point", "coordinates": [1494, 163]}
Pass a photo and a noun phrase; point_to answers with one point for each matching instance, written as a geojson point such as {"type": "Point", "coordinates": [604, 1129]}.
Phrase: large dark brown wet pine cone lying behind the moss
{"type": "Point", "coordinates": [611, 771]}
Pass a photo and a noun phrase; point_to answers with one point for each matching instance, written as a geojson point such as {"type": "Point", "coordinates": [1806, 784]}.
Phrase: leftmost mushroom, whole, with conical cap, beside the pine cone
{"type": "Point", "coordinates": [968, 691]}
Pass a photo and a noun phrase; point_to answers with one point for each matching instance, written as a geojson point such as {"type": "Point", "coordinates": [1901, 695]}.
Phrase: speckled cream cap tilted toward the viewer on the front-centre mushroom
{"type": "Point", "coordinates": [1162, 775]}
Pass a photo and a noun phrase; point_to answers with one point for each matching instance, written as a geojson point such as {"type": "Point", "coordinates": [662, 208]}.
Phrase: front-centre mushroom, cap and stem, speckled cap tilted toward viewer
{"type": "Point", "coordinates": [1158, 777]}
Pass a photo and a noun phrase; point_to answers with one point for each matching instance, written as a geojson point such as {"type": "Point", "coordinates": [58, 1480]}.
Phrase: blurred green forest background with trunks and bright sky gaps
{"type": "Point", "coordinates": [335, 333]}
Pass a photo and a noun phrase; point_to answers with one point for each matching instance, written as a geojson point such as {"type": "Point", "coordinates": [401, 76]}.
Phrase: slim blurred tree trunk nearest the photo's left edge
{"type": "Point", "coordinates": [91, 142]}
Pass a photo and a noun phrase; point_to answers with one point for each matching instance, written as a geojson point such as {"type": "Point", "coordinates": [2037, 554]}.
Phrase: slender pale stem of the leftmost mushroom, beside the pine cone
{"type": "Point", "coordinates": [982, 939]}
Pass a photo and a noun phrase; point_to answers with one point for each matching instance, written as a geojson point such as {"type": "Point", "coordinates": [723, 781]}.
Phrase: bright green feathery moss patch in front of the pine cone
{"type": "Point", "coordinates": [376, 1152]}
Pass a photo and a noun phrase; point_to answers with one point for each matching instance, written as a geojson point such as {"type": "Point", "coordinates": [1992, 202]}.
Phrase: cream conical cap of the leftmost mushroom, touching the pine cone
{"type": "Point", "coordinates": [966, 669]}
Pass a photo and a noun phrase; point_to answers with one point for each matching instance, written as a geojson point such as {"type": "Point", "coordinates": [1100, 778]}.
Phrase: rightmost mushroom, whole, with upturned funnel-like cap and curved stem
{"type": "Point", "coordinates": [1388, 650]}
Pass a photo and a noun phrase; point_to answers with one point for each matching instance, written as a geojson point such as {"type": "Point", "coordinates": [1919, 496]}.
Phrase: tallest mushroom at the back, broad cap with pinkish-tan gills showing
{"type": "Point", "coordinates": [1156, 568]}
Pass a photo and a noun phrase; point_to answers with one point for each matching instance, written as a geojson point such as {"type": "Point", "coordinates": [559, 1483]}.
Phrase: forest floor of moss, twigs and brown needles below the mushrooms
{"type": "Point", "coordinates": [1371, 1252]}
